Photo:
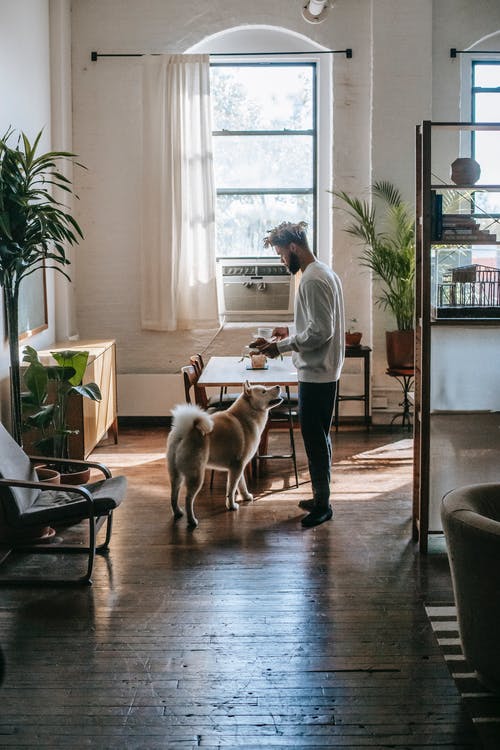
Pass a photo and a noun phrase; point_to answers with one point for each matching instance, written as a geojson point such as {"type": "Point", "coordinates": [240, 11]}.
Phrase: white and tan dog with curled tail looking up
{"type": "Point", "coordinates": [225, 440]}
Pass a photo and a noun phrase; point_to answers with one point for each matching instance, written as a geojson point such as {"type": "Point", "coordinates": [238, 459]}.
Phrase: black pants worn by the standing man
{"type": "Point", "coordinates": [316, 408]}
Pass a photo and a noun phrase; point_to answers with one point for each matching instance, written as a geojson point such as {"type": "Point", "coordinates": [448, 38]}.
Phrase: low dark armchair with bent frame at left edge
{"type": "Point", "coordinates": [29, 508]}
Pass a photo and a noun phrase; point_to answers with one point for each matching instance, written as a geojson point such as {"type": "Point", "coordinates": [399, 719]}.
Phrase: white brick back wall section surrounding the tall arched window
{"type": "Point", "coordinates": [107, 133]}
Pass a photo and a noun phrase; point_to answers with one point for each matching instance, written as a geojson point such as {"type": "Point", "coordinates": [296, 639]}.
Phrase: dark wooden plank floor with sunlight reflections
{"type": "Point", "coordinates": [249, 632]}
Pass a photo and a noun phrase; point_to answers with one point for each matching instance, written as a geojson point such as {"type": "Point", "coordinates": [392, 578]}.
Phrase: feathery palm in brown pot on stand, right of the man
{"type": "Point", "coordinates": [389, 252]}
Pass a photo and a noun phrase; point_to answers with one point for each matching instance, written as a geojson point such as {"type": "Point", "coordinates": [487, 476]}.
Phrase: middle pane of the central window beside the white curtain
{"type": "Point", "coordinates": [278, 161]}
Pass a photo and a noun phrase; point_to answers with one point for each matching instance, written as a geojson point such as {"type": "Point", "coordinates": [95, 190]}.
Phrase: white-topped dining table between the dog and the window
{"type": "Point", "coordinates": [223, 372]}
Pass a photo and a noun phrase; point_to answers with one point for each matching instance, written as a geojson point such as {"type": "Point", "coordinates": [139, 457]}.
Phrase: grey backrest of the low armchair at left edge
{"type": "Point", "coordinates": [15, 464]}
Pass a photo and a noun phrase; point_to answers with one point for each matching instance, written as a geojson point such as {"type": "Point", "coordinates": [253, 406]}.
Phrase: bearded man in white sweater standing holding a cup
{"type": "Point", "coordinates": [317, 347]}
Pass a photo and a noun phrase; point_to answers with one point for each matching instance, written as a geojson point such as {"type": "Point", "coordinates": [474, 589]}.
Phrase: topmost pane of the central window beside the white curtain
{"type": "Point", "coordinates": [262, 97]}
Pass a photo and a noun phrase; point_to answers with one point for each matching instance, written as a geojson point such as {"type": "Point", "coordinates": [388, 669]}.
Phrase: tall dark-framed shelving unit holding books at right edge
{"type": "Point", "coordinates": [457, 347]}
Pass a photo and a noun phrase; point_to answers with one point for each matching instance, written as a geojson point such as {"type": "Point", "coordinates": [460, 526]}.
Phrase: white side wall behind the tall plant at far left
{"type": "Point", "coordinates": [25, 105]}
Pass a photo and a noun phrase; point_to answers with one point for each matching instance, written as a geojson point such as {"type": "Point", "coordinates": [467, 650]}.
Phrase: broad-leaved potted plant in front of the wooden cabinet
{"type": "Point", "coordinates": [45, 401]}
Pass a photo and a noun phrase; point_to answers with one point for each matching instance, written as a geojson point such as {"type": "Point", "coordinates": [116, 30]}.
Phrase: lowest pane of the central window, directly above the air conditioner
{"type": "Point", "coordinates": [243, 221]}
